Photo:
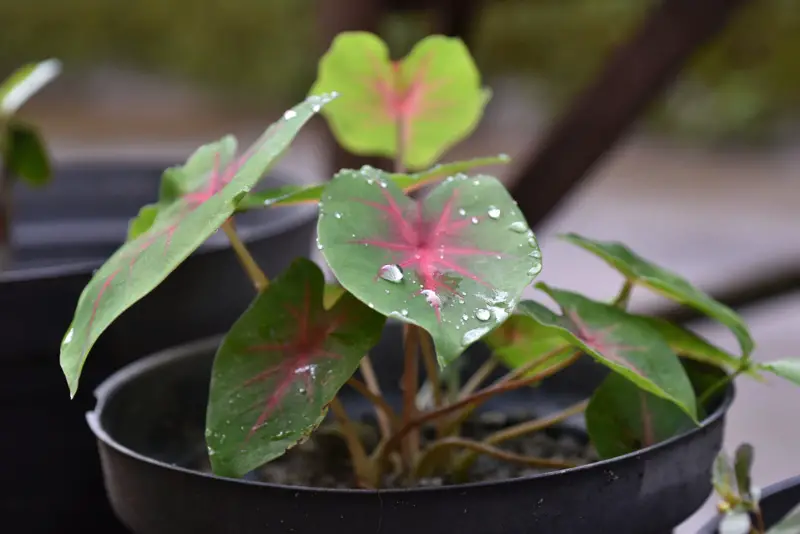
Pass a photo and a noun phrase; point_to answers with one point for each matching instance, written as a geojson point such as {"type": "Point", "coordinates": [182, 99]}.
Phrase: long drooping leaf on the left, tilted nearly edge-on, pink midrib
{"type": "Point", "coordinates": [178, 229]}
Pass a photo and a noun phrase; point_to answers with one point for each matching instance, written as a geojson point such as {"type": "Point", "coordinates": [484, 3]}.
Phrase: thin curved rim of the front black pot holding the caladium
{"type": "Point", "coordinates": [109, 386]}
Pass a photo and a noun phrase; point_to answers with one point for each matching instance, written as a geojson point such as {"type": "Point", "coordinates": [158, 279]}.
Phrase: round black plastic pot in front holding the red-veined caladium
{"type": "Point", "coordinates": [149, 423]}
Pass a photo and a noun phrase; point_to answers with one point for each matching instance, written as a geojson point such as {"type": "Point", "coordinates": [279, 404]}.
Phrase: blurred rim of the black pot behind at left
{"type": "Point", "coordinates": [295, 216]}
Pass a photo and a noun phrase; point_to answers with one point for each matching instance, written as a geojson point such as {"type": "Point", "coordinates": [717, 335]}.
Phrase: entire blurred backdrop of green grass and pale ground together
{"type": "Point", "coordinates": [708, 183]}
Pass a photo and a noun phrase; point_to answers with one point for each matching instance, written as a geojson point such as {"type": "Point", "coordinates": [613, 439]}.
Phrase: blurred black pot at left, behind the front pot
{"type": "Point", "coordinates": [50, 470]}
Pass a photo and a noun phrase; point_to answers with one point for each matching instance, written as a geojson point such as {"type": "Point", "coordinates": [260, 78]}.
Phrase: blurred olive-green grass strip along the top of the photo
{"type": "Point", "coordinates": [262, 51]}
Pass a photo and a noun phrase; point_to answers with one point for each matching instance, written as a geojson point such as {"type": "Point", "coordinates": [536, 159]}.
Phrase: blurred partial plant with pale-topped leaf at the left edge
{"type": "Point", "coordinates": [22, 149]}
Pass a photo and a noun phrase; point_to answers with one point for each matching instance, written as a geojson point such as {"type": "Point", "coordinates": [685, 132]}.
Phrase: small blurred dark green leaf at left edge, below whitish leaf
{"type": "Point", "coordinates": [26, 156]}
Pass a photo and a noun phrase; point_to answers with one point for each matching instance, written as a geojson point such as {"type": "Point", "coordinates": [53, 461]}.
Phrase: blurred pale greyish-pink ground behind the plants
{"type": "Point", "coordinates": [712, 216]}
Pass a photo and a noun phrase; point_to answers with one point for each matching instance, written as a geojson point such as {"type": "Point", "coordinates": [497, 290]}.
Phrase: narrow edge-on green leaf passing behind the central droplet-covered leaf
{"type": "Point", "coordinates": [290, 195]}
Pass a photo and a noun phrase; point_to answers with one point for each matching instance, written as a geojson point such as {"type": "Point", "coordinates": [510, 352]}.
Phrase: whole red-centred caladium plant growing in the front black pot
{"type": "Point", "coordinates": [451, 265]}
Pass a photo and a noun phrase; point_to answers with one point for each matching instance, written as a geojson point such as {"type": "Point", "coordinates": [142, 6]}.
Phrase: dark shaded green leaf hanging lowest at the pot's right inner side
{"type": "Point", "coordinates": [623, 418]}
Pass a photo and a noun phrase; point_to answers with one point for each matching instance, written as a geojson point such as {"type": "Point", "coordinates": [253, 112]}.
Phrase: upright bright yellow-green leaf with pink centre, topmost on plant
{"type": "Point", "coordinates": [433, 98]}
